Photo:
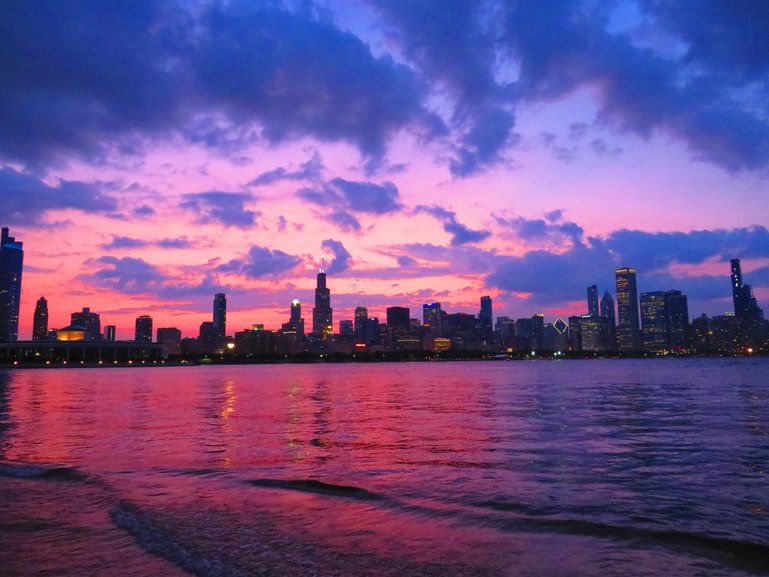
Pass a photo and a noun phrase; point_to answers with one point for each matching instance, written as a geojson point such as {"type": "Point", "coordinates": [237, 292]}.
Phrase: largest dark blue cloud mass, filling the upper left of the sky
{"type": "Point", "coordinates": [83, 77]}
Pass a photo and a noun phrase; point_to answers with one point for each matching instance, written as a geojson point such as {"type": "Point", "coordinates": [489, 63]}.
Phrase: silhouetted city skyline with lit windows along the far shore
{"type": "Point", "coordinates": [656, 322]}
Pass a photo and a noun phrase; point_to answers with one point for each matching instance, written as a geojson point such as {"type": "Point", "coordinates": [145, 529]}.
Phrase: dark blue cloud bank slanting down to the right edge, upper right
{"type": "Point", "coordinates": [564, 46]}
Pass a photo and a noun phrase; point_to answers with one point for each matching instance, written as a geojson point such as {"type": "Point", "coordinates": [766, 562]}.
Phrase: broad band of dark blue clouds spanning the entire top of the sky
{"type": "Point", "coordinates": [85, 78]}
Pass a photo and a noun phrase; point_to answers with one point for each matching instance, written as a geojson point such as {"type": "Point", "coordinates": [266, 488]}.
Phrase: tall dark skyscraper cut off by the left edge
{"type": "Point", "coordinates": [11, 264]}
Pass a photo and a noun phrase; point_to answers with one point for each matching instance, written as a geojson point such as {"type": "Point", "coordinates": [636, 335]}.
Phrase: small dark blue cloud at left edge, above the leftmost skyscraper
{"type": "Point", "coordinates": [24, 199]}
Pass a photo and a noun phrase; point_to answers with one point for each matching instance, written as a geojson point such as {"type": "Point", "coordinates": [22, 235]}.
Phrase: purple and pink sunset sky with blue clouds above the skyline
{"type": "Point", "coordinates": [155, 153]}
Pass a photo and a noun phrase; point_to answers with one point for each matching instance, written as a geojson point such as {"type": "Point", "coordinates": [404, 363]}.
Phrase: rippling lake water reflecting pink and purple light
{"type": "Point", "coordinates": [581, 468]}
